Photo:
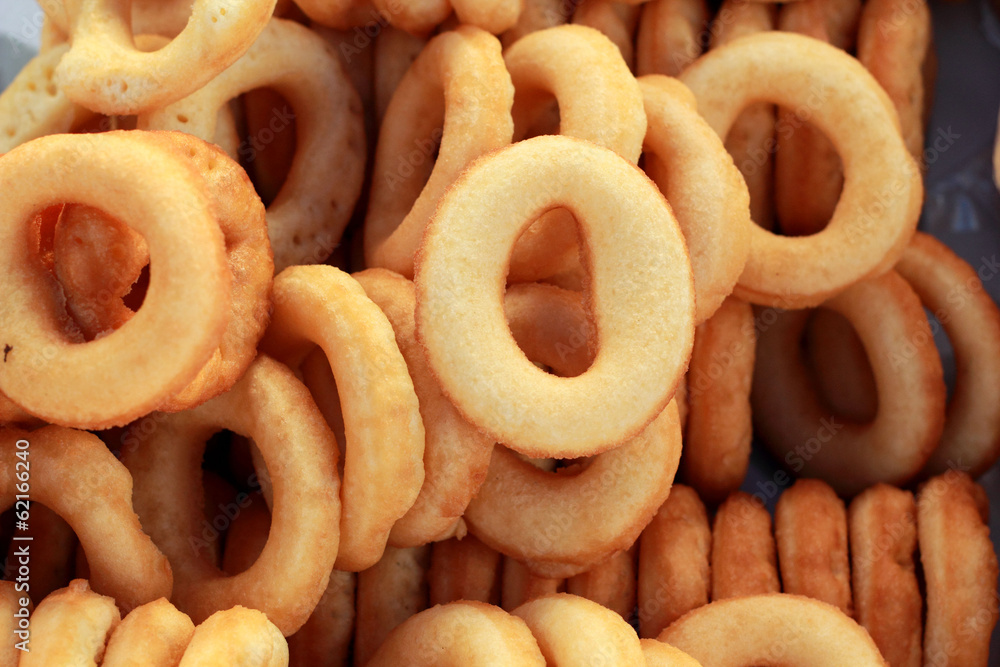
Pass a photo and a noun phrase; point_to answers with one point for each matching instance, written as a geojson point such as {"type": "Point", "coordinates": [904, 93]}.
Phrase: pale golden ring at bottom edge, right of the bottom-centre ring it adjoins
{"type": "Point", "coordinates": [556, 621]}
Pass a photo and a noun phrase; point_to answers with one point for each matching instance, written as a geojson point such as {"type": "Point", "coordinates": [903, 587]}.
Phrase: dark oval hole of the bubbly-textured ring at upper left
{"type": "Point", "coordinates": [268, 140]}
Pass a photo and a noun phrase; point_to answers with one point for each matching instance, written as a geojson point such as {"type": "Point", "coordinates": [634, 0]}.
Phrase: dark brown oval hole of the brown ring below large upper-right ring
{"type": "Point", "coordinates": [839, 366]}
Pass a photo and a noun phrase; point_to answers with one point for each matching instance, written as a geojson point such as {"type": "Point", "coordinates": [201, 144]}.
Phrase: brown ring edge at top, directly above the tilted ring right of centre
{"type": "Point", "coordinates": [670, 36]}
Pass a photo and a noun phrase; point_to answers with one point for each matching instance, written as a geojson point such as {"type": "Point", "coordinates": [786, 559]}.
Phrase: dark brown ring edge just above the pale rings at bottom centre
{"type": "Point", "coordinates": [463, 569]}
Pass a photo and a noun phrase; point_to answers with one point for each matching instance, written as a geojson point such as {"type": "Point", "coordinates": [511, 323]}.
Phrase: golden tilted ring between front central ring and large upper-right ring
{"type": "Point", "coordinates": [689, 164]}
